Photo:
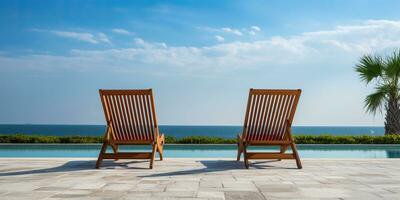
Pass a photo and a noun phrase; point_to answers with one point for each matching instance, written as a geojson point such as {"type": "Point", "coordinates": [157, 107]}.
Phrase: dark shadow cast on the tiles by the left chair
{"type": "Point", "coordinates": [76, 165]}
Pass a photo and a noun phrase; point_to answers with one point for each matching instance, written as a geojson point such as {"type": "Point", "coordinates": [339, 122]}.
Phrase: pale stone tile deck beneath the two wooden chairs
{"type": "Point", "coordinates": [199, 179]}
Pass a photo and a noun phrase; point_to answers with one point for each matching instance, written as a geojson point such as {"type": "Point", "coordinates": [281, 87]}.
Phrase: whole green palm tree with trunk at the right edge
{"type": "Point", "coordinates": [384, 73]}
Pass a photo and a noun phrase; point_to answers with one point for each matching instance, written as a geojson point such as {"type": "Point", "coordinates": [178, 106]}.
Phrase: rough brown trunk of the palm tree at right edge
{"type": "Point", "coordinates": [392, 119]}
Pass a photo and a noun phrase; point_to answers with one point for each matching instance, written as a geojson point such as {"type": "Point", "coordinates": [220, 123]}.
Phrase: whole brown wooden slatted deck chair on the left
{"type": "Point", "coordinates": [131, 120]}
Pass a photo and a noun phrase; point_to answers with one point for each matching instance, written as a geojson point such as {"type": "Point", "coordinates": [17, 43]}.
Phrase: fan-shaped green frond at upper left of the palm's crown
{"type": "Point", "coordinates": [370, 68]}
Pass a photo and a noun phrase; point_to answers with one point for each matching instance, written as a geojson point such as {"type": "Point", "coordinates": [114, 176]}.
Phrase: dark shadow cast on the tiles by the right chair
{"type": "Point", "coordinates": [211, 166]}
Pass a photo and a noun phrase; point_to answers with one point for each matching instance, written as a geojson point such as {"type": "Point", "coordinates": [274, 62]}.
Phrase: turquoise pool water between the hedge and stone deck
{"type": "Point", "coordinates": [199, 151]}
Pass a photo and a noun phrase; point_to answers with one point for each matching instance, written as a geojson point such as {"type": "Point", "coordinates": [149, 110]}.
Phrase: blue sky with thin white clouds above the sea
{"type": "Point", "coordinates": [200, 57]}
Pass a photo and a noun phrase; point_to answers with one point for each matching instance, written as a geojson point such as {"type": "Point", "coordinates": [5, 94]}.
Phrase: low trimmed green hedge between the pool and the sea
{"type": "Point", "coordinates": [300, 139]}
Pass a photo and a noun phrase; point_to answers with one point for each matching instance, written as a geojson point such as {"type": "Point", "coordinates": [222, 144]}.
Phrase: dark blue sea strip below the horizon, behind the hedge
{"type": "Point", "coordinates": [179, 131]}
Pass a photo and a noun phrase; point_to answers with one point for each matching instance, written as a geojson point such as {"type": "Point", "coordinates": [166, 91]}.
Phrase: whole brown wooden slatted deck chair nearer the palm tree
{"type": "Point", "coordinates": [268, 121]}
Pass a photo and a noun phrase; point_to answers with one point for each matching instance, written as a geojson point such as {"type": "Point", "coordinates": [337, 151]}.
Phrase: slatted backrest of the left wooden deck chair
{"type": "Point", "coordinates": [130, 114]}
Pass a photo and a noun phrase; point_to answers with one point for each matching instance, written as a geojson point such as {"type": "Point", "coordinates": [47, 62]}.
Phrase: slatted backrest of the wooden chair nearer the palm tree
{"type": "Point", "coordinates": [268, 114]}
